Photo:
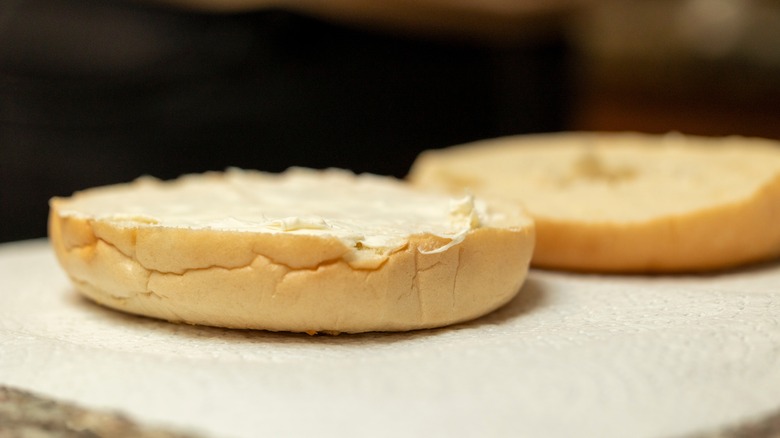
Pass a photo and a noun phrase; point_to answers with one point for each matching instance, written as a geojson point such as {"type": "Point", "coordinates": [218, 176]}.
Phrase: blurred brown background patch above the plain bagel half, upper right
{"type": "Point", "coordinates": [709, 67]}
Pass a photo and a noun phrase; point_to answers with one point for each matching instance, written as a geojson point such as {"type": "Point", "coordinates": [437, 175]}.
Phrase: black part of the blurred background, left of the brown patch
{"type": "Point", "coordinates": [94, 92]}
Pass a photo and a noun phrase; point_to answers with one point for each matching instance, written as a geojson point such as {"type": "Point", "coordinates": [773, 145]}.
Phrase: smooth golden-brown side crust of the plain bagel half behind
{"type": "Point", "coordinates": [718, 238]}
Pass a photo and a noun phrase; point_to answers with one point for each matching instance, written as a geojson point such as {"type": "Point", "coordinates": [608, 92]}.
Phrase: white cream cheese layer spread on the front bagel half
{"type": "Point", "coordinates": [364, 211]}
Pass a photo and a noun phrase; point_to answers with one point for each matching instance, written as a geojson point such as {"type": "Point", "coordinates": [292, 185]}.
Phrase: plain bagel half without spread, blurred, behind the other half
{"type": "Point", "coordinates": [627, 202]}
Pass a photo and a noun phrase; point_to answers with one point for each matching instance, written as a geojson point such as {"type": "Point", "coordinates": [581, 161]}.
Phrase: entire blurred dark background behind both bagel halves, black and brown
{"type": "Point", "coordinates": [95, 92]}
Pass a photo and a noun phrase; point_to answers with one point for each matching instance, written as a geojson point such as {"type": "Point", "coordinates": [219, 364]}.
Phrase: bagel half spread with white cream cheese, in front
{"type": "Point", "coordinates": [302, 251]}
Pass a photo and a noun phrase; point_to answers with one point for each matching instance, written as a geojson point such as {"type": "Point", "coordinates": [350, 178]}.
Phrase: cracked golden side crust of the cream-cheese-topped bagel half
{"type": "Point", "coordinates": [288, 282]}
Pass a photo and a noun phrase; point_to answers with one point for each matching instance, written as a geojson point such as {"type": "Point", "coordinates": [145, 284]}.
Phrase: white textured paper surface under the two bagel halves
{"type": "Point", "coordinates": [573, 355]}
